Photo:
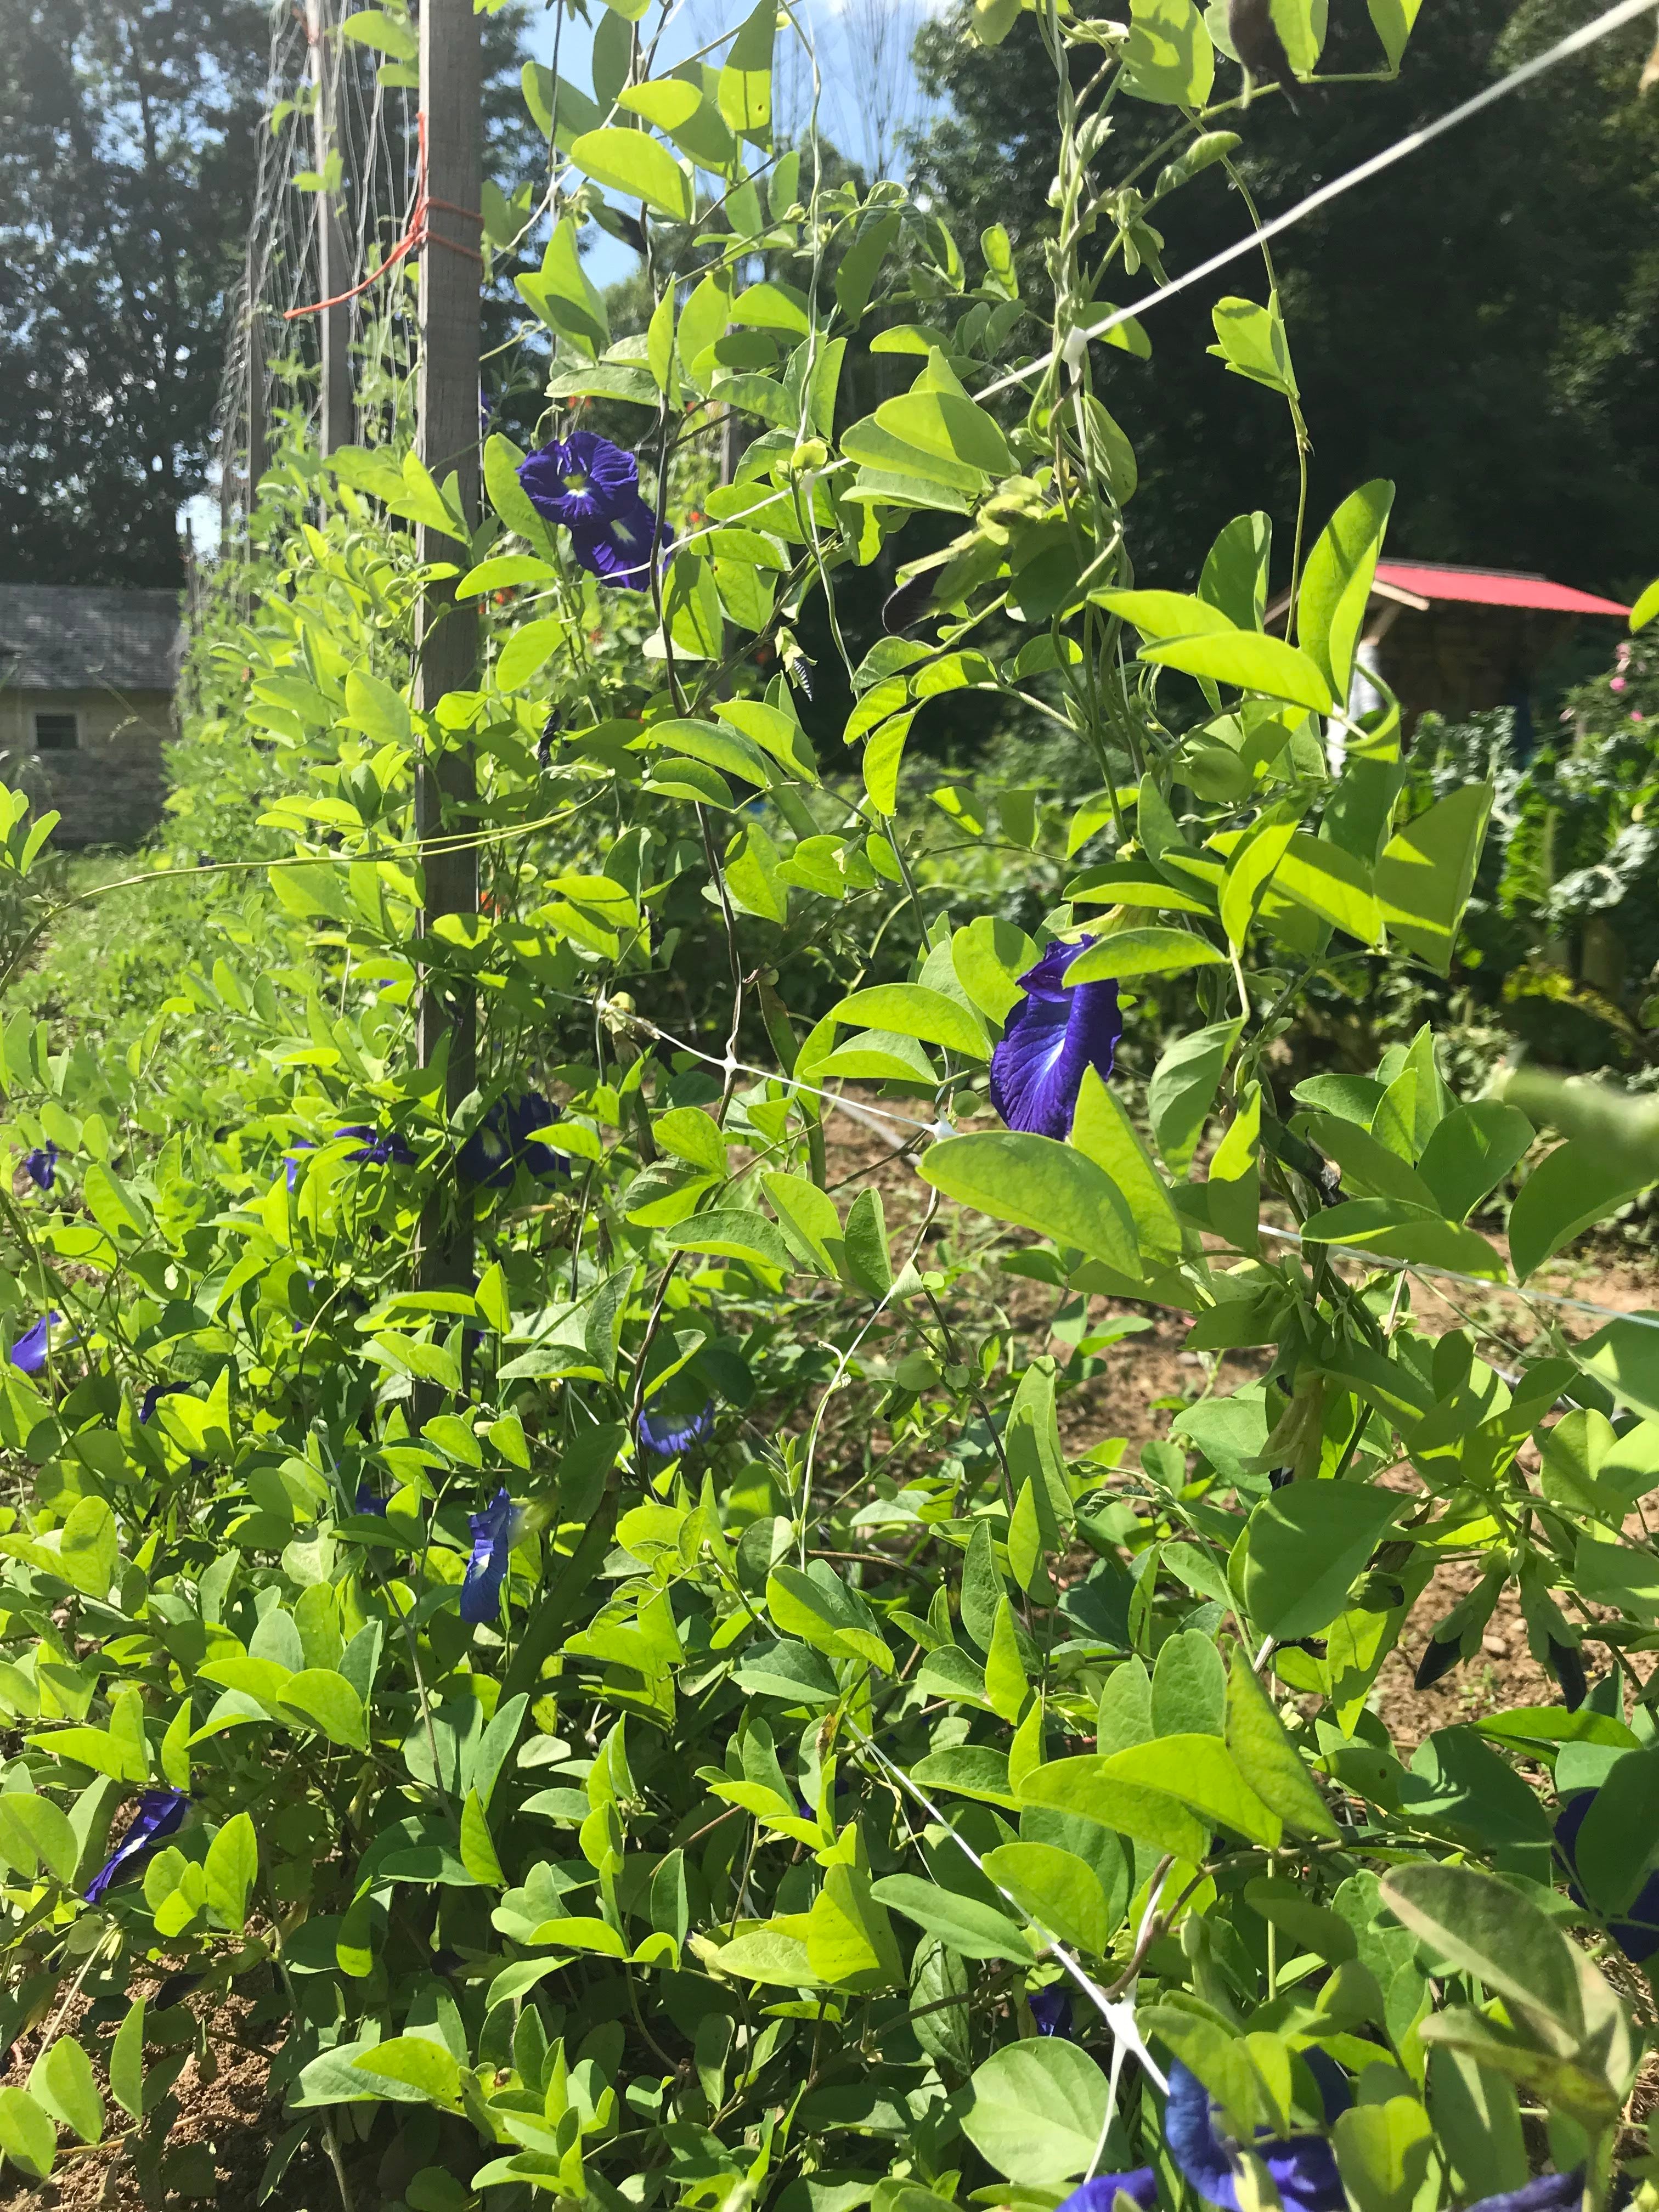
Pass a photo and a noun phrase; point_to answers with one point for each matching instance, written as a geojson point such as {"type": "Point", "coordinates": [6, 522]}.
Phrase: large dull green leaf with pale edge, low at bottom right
{"type": "Point", "coordinates": [1485, 1928]}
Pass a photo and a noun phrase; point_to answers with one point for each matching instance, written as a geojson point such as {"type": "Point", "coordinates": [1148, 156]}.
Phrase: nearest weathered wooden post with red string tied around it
{"type": "Point", "coordinates": [448, 413]}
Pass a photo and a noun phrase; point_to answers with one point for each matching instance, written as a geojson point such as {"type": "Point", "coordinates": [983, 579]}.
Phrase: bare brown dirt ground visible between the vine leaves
{"type": "Point", "coordinates": [227, 2118]}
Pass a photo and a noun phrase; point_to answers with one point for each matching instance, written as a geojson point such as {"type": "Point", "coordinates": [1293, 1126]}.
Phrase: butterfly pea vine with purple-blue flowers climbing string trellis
{"type": "Point", "coordinates": [682, 1720]}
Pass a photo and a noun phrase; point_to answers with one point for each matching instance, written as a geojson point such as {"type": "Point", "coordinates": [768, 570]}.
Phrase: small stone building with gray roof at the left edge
{"type": "Point", "coordinates": [87, 680]}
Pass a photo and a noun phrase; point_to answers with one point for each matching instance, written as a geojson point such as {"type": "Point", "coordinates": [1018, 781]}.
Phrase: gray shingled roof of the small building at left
{"type": "Point", "coordinates": [83, 638]}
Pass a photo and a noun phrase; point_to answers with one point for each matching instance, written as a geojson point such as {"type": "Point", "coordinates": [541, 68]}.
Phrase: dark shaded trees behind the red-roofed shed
{"type": "Point", "coordinates": [1481, 324]}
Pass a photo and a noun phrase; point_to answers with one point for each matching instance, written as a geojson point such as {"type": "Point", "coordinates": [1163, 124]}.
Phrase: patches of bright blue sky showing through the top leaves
{"type": "Point", "coordinates": [870, 92]}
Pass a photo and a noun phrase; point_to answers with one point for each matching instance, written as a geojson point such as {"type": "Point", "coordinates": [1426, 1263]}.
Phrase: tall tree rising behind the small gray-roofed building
{"type": "Point", "coordinates": [125, 187]}
